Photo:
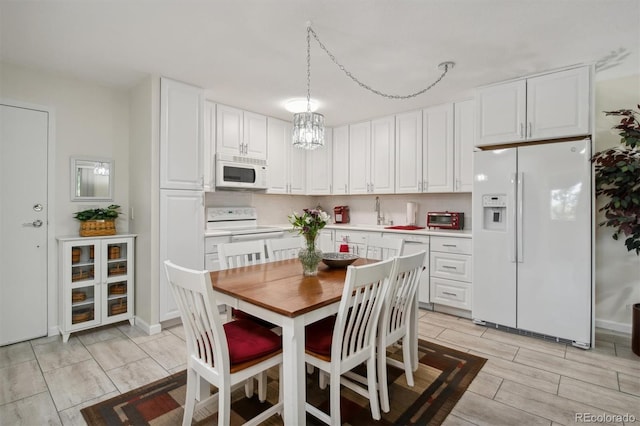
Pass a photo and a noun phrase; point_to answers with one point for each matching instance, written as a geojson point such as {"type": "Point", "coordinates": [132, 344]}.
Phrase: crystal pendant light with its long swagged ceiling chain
{"type": "Point", "coordinates": [308, 127]}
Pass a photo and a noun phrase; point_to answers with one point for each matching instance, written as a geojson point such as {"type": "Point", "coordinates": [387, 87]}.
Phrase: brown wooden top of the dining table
{"type": "Point", "coordinates": [281, 287]}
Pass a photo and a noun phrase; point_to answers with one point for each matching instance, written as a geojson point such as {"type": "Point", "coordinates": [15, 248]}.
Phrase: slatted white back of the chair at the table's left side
{"type": "Point", "coordinates": [199, 313]}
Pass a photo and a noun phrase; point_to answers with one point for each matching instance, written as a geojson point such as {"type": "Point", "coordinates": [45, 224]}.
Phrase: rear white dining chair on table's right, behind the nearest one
{"type": "Point", "coordinates": [395, 319]}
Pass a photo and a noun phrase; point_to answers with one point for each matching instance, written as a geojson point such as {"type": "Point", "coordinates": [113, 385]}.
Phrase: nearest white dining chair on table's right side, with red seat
{"type": "Point", "coordinates": [339, 343]}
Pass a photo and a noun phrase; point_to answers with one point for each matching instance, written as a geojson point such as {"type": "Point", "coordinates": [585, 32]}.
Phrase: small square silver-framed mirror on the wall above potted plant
{"type": "Point", "coordinates": [91, 179]}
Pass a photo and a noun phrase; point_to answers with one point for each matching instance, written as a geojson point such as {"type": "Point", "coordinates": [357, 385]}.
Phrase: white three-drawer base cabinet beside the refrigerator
{"type": "Point", "coordinates": [450, 272]}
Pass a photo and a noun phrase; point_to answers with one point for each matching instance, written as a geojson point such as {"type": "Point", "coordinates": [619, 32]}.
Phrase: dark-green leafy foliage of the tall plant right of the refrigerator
{"type": "Point", "coordinates": [617, 177]}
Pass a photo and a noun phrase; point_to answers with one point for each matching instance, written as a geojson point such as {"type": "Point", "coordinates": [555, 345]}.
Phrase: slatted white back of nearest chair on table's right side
{"type": "Point", "coordinates": [362, 300]}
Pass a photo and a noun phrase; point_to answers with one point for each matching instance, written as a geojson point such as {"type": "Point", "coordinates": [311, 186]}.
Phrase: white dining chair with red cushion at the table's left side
{"type": "Point", "coordinates": [225, 355]}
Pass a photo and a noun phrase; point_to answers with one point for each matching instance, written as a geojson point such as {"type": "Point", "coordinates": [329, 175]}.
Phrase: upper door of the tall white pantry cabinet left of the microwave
{"type": "Point", "coordinates": [181, 135]}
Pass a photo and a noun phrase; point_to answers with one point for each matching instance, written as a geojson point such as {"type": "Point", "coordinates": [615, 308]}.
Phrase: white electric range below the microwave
{"type": "Point", "coordinates": [231, 224]}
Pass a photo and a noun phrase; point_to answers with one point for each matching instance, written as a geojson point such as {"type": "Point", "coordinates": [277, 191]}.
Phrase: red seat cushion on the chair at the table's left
{"type": "Point", "coordinates": [248, 340]}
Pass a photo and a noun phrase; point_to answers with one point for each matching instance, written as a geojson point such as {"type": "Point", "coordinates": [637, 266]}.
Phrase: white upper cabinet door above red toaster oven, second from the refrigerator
{"type": "Point", "coordinates": [437, 150]}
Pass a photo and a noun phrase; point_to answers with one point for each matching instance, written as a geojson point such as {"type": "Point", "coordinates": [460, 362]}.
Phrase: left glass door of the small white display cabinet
{"type": "Point", "coordinates": [85, 291]}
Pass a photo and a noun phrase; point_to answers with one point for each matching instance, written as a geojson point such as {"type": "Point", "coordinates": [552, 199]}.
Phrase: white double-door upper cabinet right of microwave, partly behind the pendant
{"type": "Point", "coordinates": [286, 173]}
